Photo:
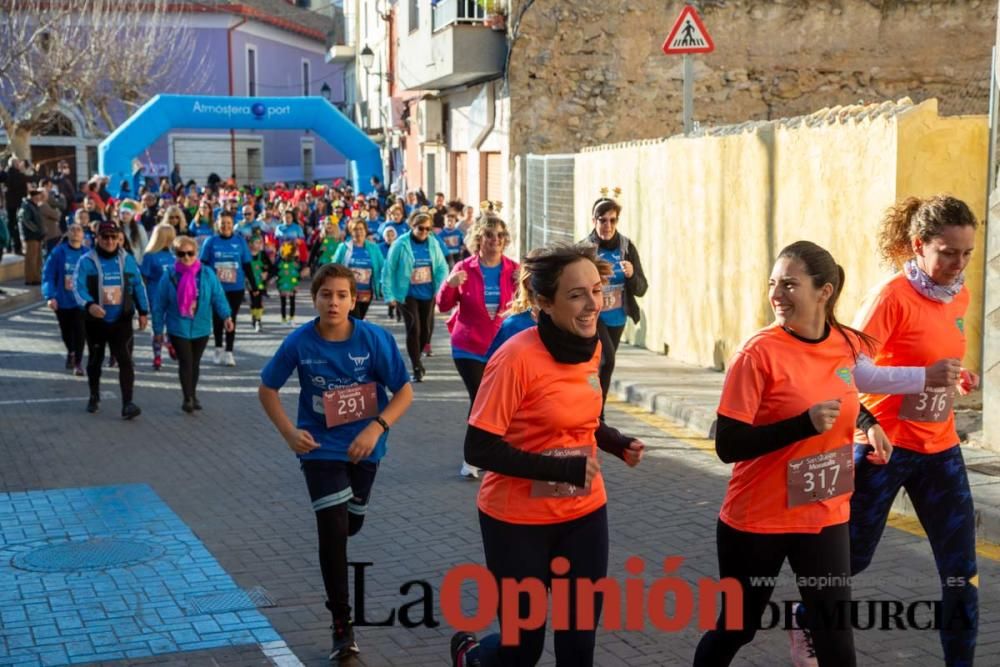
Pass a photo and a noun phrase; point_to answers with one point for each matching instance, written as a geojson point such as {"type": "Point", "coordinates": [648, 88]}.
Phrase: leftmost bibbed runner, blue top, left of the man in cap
{"type": "Point", "coordinates": [57, 290]}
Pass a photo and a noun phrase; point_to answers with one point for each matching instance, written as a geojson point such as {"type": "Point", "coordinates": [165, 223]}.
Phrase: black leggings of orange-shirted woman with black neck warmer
{"type": "Point", "coordinates": [584, 542]}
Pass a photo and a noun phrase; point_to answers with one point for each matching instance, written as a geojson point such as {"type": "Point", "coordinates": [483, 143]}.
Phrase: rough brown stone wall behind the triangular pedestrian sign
{"type": "Point", "coordinates": [586, 72]}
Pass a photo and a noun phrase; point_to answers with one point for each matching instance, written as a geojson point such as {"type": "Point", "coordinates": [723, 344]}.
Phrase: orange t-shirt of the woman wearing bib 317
{"type": "Point", "coordinates": [776, 376]}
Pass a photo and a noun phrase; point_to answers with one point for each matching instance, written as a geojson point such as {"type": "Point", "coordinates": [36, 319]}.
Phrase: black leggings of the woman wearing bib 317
{"type": "Point", "coordinates": [823, 557]}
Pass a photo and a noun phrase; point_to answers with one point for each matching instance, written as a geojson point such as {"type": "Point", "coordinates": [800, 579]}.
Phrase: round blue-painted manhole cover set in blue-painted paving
{"type": "Point", "coordinates": [91, 554]}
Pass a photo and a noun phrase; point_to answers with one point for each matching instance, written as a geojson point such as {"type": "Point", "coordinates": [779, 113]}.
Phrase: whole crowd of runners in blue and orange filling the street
{"type": "Point", "coordinates": [869, 406]}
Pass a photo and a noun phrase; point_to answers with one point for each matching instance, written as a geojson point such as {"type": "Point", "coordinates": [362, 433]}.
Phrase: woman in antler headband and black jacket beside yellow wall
{"type": "Point", "coordinates": [627, 283]}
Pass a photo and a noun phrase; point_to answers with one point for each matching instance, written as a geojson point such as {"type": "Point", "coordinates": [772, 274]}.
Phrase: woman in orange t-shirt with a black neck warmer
{"type": "Point", "coordinates": [536, 426]}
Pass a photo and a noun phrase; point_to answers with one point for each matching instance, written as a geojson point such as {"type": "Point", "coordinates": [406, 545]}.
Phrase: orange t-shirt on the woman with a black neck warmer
{"type": "Point", "coordinates": [538, 405]}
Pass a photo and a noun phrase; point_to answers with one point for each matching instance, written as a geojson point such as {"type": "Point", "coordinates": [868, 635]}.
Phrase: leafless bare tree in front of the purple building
{"type": "Point", "coordinates": [98, 57]}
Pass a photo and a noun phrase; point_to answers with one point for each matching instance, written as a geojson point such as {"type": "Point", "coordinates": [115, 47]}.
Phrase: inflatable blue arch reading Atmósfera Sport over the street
{"type": "Point", "coordinates": [166, 112]}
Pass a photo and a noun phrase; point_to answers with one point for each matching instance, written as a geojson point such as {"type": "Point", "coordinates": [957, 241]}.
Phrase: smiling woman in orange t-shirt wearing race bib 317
{"type": "Point", "coordinates": [789, 402]}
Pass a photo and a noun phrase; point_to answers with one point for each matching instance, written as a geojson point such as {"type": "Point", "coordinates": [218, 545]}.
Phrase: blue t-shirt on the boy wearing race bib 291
{"type": "Point", "coordinates": [370, 355]}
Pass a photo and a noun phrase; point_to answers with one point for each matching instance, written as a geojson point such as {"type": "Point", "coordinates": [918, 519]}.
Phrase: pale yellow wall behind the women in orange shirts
{"type": "Point", "coordinates": [708, 214]}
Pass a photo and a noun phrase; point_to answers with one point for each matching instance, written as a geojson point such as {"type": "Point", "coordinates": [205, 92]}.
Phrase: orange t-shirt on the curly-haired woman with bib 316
{"type": "Point", "coordinates": [912, 330]}
